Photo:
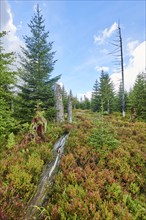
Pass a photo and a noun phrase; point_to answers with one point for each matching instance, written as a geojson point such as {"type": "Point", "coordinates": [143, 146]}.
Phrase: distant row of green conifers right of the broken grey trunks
{"type": "Point", "coordinates": [104, 98]}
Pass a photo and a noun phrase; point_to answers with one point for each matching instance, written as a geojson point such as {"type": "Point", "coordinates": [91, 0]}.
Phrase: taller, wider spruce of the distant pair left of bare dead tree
{"type": "Point", "coordinates": [106, 92]}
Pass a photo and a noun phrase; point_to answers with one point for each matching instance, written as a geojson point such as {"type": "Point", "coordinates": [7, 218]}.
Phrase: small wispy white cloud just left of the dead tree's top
{"type": "Point", "coordinates": [106, 33]}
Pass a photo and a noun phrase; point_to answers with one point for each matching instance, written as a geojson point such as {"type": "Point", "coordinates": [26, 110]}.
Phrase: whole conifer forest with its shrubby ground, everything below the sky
{"type": "Point", "coordinates": [65, 158]}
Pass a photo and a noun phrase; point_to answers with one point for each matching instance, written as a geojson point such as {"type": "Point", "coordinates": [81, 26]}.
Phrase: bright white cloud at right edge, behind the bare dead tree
{"type": "Point", "coordinates": [136, 65]}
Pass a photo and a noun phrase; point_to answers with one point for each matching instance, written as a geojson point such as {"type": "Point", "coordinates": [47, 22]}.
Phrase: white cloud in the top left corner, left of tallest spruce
{"type": "Point", "coordinates": [11, 41]}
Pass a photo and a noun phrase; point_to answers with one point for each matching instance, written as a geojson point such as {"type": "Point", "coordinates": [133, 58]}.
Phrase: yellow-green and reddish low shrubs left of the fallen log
{"type": "Point", "coordinates": [21, 163]}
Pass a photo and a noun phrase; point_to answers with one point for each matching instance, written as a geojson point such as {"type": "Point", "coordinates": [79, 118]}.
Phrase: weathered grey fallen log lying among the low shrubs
{"type": "Point", "coordinates": [45, 180]}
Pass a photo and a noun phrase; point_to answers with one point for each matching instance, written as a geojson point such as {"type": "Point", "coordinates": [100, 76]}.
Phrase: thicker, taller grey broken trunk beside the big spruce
{"type": "Point", "coordinates": [59, 104]}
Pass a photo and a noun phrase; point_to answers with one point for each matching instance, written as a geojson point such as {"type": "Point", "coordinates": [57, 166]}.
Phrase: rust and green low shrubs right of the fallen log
{"type": "Point", "coordinates": [102, 172]}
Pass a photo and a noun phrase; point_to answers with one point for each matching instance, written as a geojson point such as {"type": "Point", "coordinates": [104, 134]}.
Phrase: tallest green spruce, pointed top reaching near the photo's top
{"type": "Point", "coordinates": [37, 64]}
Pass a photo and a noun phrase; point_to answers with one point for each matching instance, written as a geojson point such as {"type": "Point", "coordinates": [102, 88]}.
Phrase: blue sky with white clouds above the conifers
{"type": "Point", "coordinates": [81, 31]}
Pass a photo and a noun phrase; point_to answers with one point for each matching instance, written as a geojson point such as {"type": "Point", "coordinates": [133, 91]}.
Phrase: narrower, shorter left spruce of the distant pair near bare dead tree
{"type": "Point", "coordinates": [95, 99]}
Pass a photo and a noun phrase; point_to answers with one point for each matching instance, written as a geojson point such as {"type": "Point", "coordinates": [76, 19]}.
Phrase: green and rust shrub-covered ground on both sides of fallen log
{"type": "Point", "coordinates": [101, 176]}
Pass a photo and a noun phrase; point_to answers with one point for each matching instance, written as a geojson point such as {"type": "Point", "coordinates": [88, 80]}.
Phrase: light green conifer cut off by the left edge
{"type": "Point", "coordinates": [7, 81]}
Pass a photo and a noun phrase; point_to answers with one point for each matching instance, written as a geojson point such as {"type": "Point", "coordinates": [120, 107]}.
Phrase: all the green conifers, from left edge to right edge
{"type": "Point", "coordinates": [31, 86]}
